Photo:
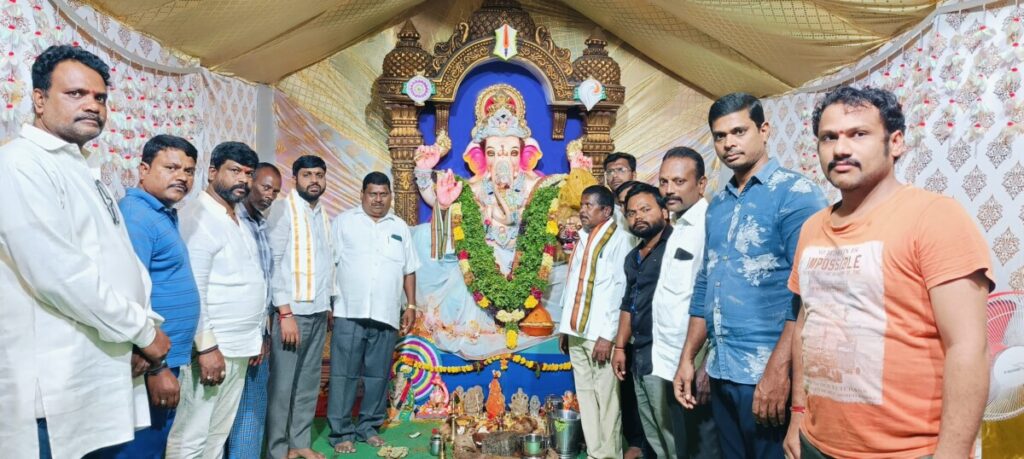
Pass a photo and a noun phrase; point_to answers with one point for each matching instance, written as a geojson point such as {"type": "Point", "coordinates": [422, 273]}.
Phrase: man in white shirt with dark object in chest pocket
{"type": "Point", "coordinates": [682, 183]}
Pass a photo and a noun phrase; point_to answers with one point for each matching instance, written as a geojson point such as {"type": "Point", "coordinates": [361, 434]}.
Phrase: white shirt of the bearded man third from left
{"type": "Point", "coordinates": [232, 289]}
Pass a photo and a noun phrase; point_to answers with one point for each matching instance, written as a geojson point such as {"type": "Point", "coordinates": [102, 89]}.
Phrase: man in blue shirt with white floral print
{"type": "Point", "coordinates": [741, 302]}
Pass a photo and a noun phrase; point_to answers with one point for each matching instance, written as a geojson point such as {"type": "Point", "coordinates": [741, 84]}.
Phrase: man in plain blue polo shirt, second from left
{"type": "Point", "coordinates": [165, 179]}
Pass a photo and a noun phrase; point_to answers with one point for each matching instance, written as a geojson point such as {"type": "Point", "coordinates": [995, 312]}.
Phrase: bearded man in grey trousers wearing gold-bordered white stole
{"type": "Point", "coordinates": [303, 288]}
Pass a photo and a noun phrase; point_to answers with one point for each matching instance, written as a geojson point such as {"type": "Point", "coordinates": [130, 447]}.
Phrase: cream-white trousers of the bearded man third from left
{"type": "Point", "coordinates": [206, 413]}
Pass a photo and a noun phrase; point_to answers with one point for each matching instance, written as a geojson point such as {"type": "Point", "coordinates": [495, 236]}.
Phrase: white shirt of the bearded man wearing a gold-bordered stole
{"type": "Point", "coordinates": [282, 245]}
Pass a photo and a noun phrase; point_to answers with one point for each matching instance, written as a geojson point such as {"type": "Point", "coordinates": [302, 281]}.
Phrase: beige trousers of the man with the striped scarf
{"type": "Point", "coordinates": [598, 391]}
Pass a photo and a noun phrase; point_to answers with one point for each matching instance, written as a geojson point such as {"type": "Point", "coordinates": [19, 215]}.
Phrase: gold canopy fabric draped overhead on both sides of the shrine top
{"type": "Point", "coordinates": [765, 48]}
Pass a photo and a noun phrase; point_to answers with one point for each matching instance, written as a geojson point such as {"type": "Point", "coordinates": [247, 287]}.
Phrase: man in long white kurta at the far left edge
{"type": "Point", "coordinates": [75, 296]}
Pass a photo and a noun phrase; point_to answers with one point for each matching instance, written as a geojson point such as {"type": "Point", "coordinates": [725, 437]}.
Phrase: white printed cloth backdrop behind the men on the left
{"type": "Point", "coordinates": [202, 107]}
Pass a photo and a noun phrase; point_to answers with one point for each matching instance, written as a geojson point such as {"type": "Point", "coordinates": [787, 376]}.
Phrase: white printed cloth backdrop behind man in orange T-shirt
{"type": "Point", "coordinates": [960, 84]}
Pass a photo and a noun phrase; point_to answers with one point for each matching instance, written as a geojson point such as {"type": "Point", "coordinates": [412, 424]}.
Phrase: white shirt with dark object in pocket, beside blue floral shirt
{"type": "Point", "coordinates": [675, 288]}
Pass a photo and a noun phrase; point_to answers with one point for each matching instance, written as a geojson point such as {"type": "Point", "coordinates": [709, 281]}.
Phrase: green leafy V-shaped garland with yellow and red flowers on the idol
{"type": "Point", "coordinates": [507, 298]}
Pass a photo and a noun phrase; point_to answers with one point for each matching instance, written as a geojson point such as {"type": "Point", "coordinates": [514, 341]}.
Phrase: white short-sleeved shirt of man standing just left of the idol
{"type": "Point", "coordinates": [372, 259]}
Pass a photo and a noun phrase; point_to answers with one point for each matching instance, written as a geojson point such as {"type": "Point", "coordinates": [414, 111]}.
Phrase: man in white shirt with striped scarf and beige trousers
{"type": "Point", "coordinates": [590, 319]}
